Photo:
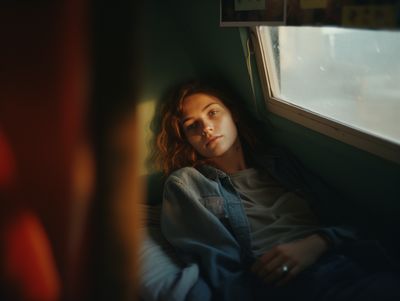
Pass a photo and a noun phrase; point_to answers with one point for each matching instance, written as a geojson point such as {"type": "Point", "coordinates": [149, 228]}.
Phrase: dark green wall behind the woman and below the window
{"type": "Point", "coordinates": [183, 40]}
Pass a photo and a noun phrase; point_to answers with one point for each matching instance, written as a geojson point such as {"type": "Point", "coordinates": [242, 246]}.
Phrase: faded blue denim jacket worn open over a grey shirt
{"type": "Point", "coordinates": [204, 219]}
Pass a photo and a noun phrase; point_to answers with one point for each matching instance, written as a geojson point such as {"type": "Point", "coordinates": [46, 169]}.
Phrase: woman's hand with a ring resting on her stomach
{"type": "Point", "coordinates": [286, 261]}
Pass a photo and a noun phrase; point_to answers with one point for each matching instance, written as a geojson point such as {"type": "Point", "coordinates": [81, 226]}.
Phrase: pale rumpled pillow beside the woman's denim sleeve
{"type": "Point", "coordinates": [163, 275]}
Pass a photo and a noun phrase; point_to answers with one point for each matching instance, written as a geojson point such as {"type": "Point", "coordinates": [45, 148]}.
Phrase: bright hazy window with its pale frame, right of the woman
{"type": "Point", "coordinates": [343, 81]}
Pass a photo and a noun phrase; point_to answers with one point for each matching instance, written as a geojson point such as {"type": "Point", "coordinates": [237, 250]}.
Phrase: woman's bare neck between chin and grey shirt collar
{"type": "Point", "coordinates": [231, 161]}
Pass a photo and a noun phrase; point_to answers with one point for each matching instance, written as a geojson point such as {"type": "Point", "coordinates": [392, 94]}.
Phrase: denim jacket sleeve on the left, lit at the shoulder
{"type": "Point", "coordinates": [199, 236]}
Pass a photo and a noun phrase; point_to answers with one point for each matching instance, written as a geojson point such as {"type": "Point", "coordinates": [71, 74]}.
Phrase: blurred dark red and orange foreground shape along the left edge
{"type": "Point", "coordinates": [66, 75]}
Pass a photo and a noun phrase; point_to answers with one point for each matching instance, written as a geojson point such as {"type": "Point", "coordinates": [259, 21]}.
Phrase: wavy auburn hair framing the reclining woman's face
{"type": "Point", "coordinates": [172, 150]}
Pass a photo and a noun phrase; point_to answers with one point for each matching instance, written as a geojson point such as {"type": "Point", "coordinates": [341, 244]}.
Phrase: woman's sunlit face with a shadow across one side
{"type": "Point", "coordinates": [208, 125]}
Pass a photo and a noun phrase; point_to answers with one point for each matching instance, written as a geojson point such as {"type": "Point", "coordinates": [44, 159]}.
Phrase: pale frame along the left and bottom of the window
{"type": "Point", "coordinates": [317, 122]}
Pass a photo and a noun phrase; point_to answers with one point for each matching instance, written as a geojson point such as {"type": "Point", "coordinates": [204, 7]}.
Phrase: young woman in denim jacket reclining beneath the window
{"type": "Point", "coordinates": [248, 214]}
